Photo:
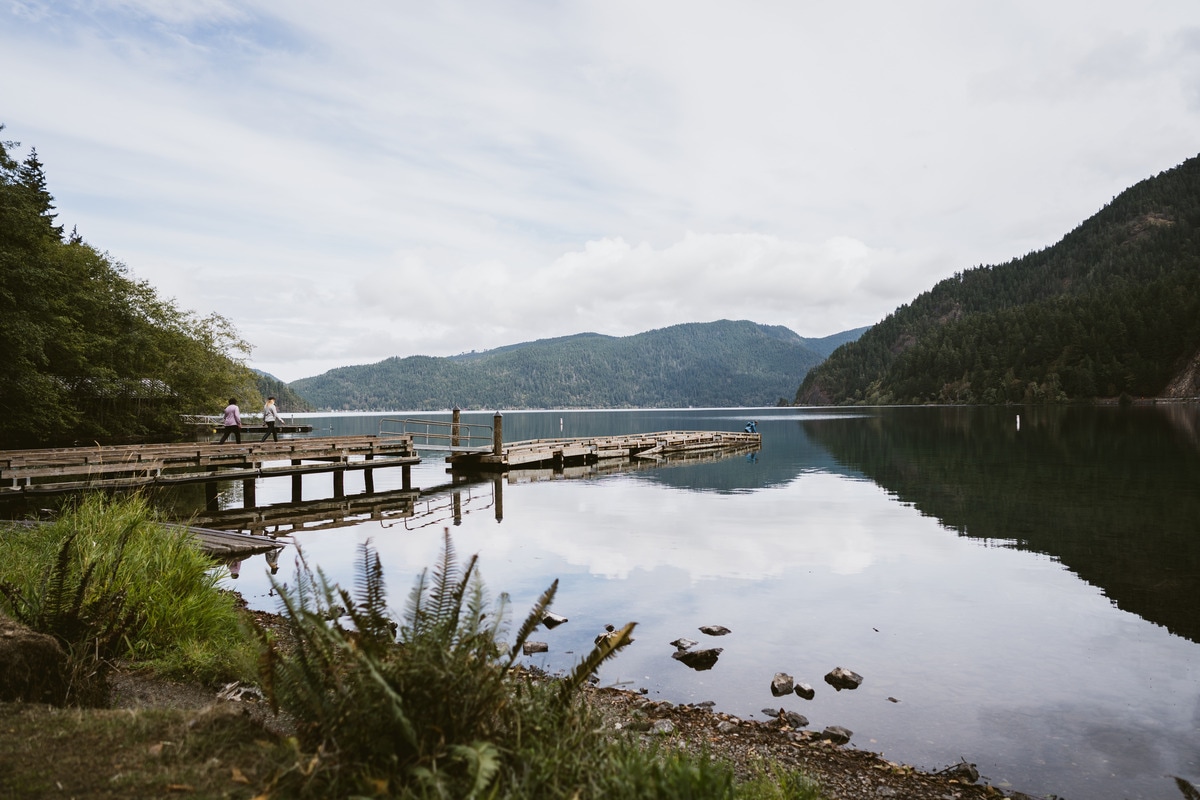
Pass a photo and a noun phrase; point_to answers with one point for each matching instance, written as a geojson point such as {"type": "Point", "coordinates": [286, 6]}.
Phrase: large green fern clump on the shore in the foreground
{"type": "Point", "coordinates": [431, 705]}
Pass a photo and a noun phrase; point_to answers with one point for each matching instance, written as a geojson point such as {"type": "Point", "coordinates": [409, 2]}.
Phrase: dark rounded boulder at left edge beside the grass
{"type": "Point", "coordinates": [33, 666]}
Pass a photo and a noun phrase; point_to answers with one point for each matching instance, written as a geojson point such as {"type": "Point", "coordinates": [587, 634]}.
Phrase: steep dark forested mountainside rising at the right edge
{"type": "Point", "coordinates": [1113, 309]}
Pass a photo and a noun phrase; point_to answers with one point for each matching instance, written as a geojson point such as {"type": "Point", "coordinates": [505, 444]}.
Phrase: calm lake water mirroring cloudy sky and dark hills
{"type": "Point", "coordinates": [1025, 582]}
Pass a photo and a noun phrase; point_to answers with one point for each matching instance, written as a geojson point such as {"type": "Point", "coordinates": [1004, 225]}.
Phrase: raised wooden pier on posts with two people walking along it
{"type": "Point", "coordinates": [71, 470]}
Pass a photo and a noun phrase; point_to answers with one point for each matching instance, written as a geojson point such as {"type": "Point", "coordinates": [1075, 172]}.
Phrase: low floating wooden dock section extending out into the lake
{"type": "Point", "coordinates": [587, 450]}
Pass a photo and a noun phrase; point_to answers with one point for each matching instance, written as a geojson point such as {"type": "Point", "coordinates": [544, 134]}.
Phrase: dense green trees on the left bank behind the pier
{"type": "Point", "coordinates": [88, 354]}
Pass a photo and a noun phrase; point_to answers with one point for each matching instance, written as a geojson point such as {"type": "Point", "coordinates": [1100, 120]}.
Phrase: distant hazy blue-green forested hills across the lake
{"type": "Point", "coordinates": [723, 364]}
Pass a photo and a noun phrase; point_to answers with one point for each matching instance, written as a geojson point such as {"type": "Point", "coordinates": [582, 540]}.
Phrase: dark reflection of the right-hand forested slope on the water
{"type": "Point", "coordinates": [1112, 494]}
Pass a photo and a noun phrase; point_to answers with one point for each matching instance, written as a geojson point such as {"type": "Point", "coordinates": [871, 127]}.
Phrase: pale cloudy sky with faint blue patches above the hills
{"type": "Point", "coordinates": [358, 181]}
